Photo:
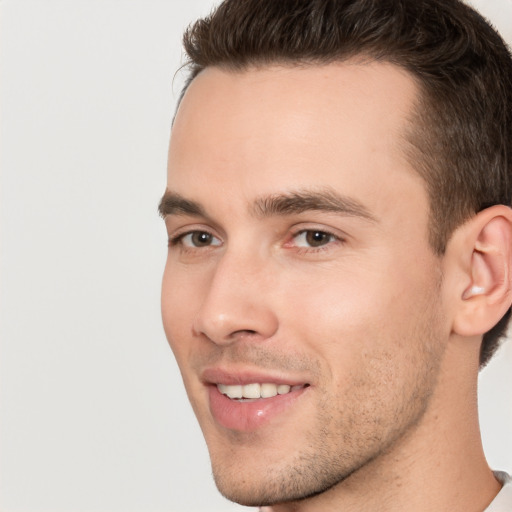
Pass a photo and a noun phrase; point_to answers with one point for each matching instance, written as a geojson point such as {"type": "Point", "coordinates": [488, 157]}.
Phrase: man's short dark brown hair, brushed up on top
{"type": "Point", "coordinates": [460, 140]}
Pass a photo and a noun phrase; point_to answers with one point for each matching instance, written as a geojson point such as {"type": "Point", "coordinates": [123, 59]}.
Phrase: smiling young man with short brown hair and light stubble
{"type": "Point", "coordinates": [340, 250]}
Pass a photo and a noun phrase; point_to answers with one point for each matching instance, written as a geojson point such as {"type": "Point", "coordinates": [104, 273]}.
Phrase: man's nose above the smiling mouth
{"type": "Point", "coordinates": [238, 302]}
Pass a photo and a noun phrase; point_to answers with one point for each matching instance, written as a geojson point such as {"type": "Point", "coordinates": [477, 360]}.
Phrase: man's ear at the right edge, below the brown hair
{"type": "Point", "coordinates": [484, 286]}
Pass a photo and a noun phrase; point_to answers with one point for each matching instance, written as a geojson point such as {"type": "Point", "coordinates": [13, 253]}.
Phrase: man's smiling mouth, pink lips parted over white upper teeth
{"type": "Point", "coordinates": [246, 402]}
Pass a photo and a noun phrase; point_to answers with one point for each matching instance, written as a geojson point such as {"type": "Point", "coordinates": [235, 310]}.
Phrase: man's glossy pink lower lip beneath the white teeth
{"type": "Point", "coordinates": [248, 415]}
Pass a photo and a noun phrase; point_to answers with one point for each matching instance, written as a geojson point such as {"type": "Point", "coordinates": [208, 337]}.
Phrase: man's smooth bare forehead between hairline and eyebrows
{"type": "Point", "coordinates": [264, 130]}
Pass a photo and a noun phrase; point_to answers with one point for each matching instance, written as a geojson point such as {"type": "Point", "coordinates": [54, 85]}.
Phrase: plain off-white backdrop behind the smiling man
{"type": "Point", "coordinates": [93, 414]}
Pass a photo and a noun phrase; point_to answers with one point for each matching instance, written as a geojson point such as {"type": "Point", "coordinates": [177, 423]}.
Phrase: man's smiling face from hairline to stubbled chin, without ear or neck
{"type": "Point", "coordinates": [300, 295]}
